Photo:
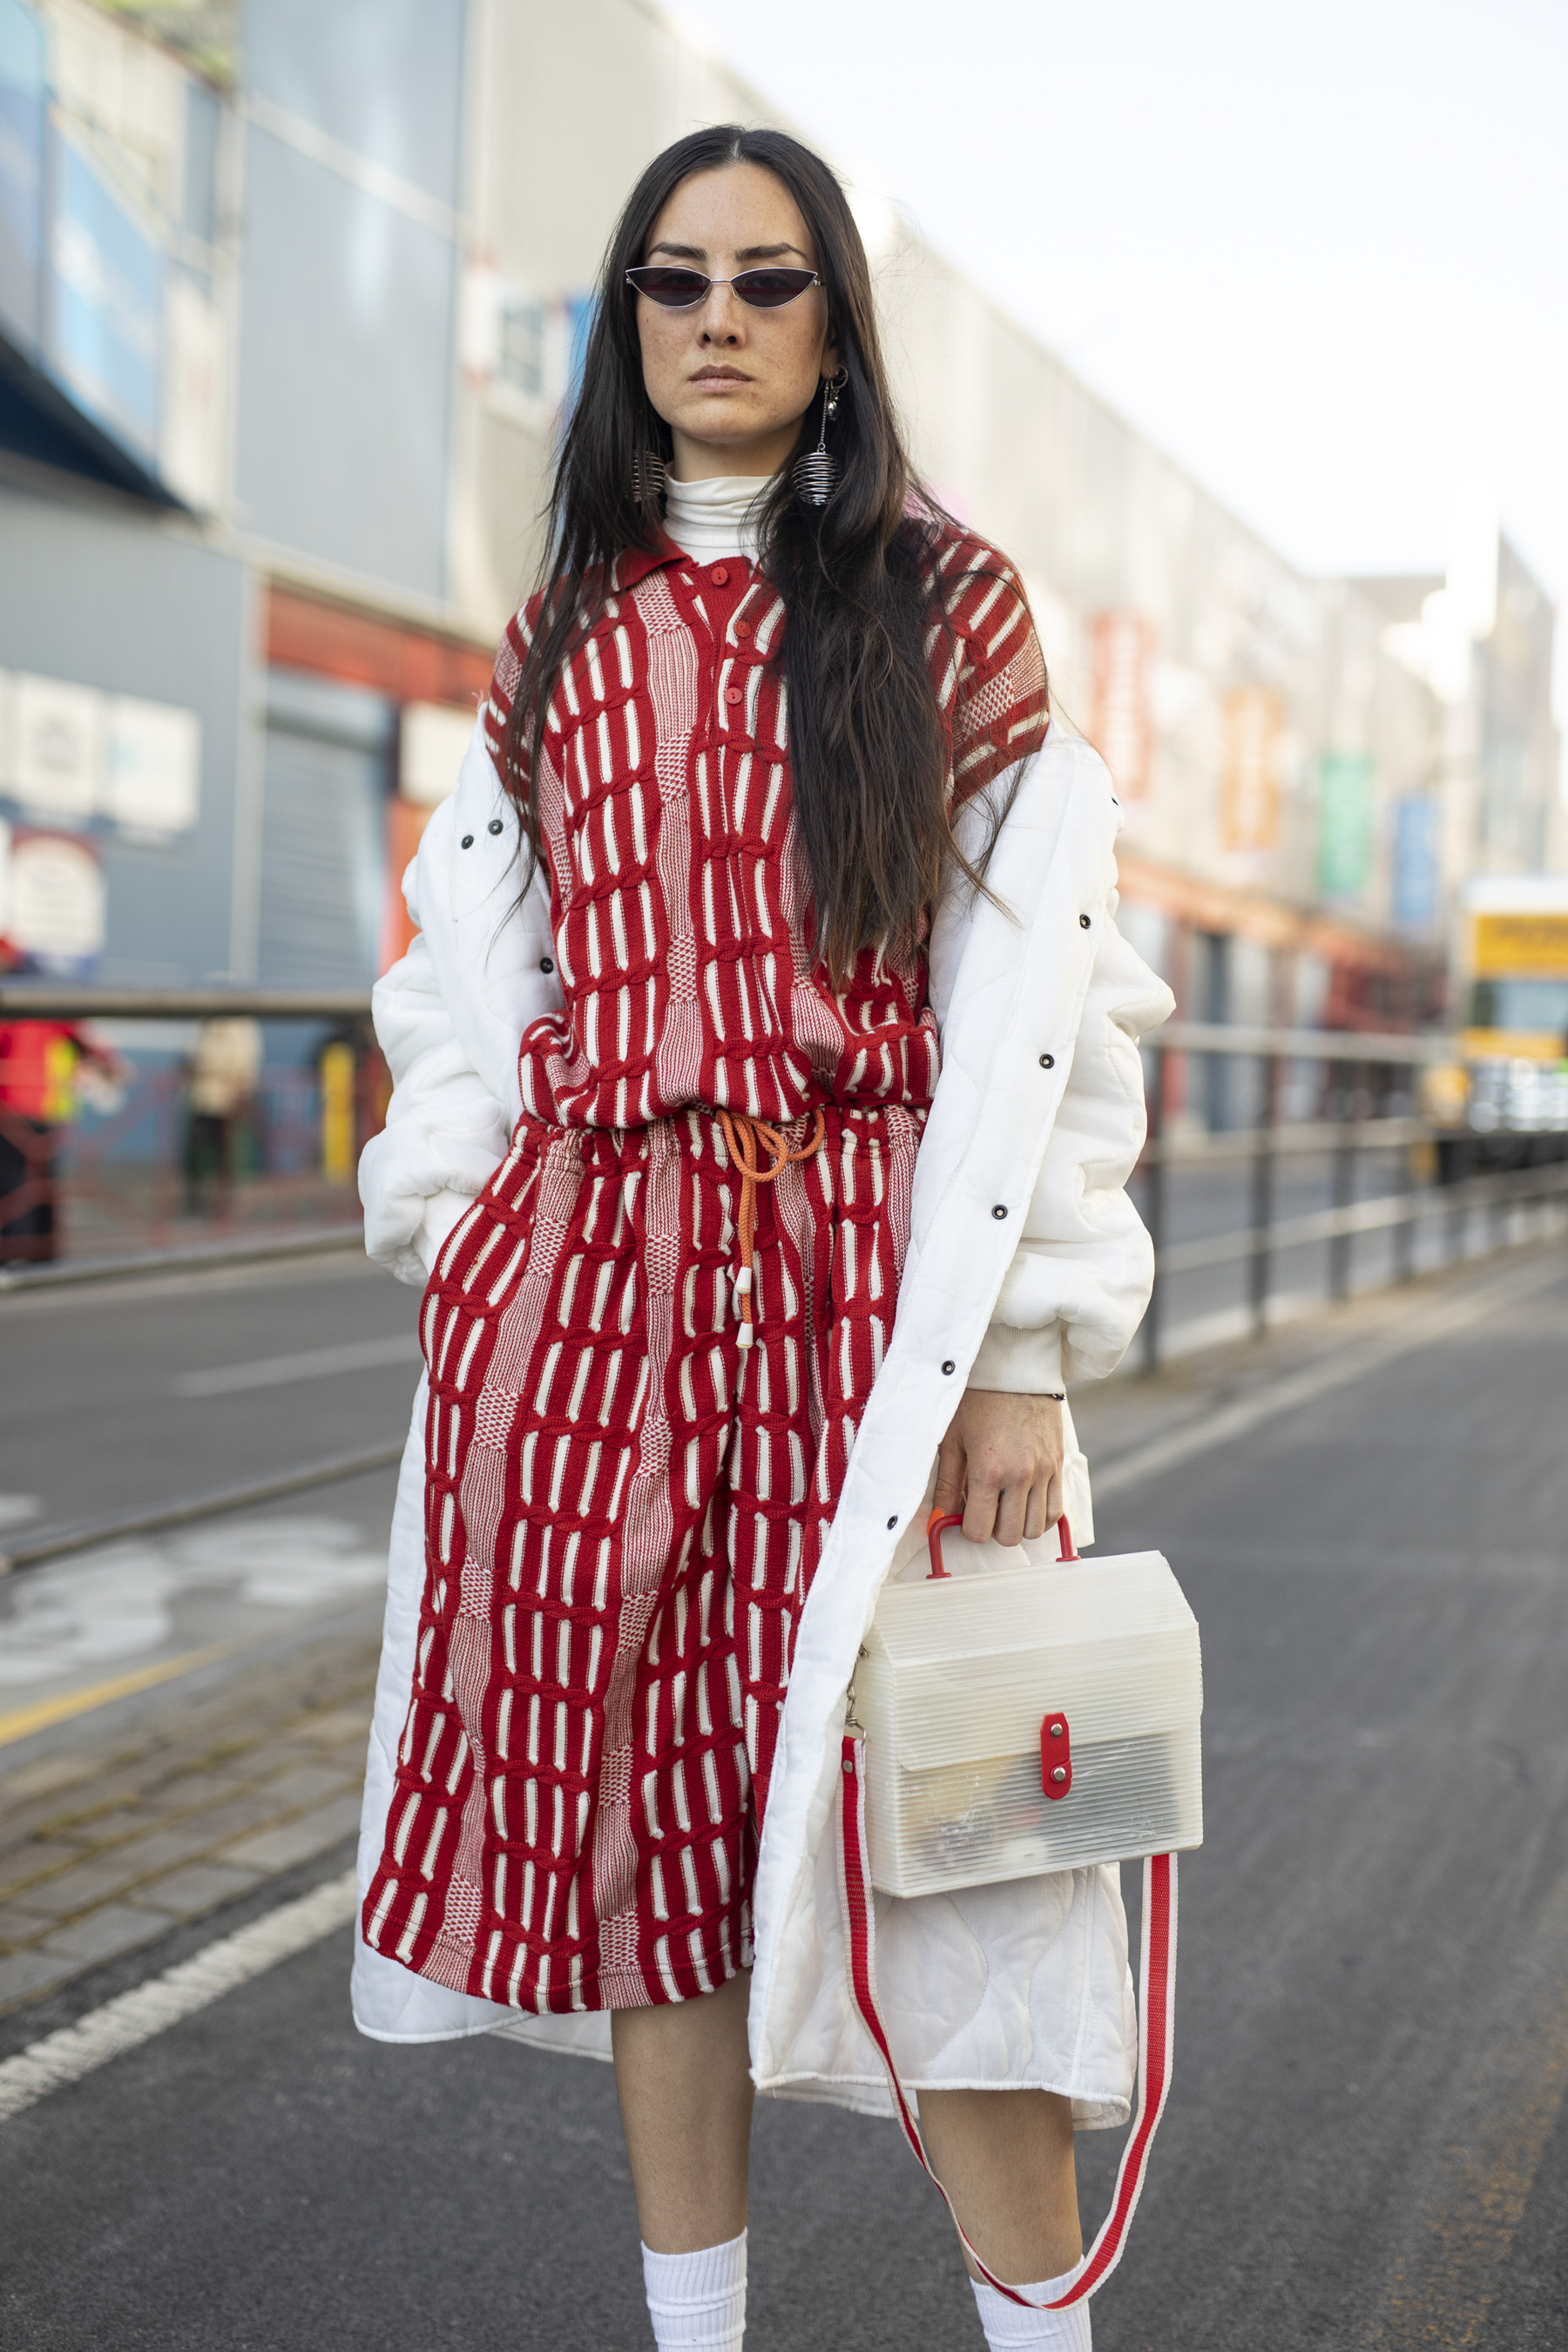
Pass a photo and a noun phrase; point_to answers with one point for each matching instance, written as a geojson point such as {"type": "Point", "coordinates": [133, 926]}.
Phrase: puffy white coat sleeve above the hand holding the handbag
{"type": "Point", "coordinates": [1085, 1267]}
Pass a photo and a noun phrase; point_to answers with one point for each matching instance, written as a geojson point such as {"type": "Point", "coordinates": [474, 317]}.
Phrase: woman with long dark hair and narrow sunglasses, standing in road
{"type": "Point", "coordinates": [765, 1097]}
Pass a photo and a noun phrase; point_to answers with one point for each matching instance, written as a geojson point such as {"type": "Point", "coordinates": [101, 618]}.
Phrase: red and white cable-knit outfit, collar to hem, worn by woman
{"type": "Point", "coordinates": [624, 1504]}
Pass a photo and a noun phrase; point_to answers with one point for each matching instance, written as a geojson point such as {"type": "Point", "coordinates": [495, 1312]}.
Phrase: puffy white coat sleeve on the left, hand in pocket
{"type": "Point", "coordinates": [445, 1132]}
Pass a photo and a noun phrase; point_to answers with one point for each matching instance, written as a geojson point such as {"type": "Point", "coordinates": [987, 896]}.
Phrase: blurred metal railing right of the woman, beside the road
{"type": "Point", "coordinates": [1351, 1069]}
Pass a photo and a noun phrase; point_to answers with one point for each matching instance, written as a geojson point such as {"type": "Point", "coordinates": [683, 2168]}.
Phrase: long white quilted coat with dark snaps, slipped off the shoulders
{"type": "Point", "coordinates": [1038, 1114]}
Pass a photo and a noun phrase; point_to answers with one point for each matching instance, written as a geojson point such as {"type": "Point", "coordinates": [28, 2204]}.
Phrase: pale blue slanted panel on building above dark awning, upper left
{"type": "Point", "coordinates": [105, 305]}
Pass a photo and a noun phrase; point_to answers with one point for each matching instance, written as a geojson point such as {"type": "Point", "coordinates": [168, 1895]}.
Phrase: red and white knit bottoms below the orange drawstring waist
{"type": "Point", "coordinates": [624, 1514]}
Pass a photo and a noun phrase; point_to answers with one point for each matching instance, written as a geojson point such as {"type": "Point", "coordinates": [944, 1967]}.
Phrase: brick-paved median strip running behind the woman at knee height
{"type": "Point", "coordinates": [114, 1836]}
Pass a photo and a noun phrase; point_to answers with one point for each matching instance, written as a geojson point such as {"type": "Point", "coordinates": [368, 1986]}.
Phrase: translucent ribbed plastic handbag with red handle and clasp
{"type": "Point", "coordinates": [1028, 1720]}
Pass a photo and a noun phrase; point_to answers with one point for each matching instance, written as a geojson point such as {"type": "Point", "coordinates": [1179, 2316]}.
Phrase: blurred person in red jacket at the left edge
{"type": "Point", "coordinates": [43, 1071]}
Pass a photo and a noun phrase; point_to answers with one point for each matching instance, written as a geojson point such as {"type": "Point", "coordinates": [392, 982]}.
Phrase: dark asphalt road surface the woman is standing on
{"type": "Point", "coordinates": [1367, 2139]}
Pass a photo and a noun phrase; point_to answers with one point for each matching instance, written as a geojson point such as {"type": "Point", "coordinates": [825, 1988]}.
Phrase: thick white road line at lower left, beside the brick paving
{"type": "Point", "coordinates": [149, 2010]}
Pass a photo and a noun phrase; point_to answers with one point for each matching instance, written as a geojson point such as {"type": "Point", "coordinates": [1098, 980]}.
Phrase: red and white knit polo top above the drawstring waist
{"type": "Point", "coordinates": [678, 893]}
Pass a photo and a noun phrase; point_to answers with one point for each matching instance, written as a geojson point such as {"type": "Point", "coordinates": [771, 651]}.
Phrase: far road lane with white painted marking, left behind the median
{"type": "Point", "coordinates": [123, 1398]}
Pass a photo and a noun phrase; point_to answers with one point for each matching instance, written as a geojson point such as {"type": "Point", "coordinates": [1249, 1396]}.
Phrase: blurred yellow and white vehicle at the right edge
{"type": "Point", "coordinates": [1503, 1100]}
